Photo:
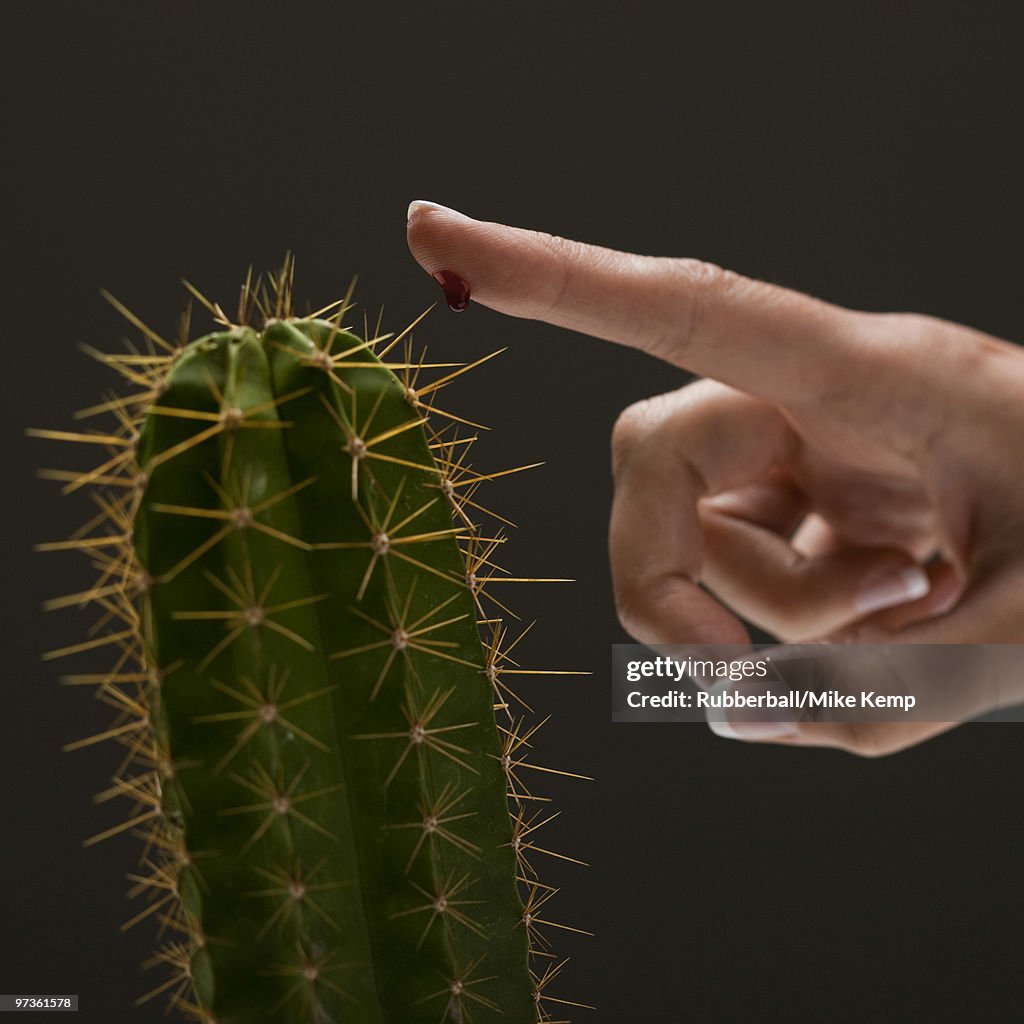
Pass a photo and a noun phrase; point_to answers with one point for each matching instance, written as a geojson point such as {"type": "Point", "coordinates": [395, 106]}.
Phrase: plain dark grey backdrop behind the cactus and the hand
{"type": "Point", "coordinates": [867, 153]}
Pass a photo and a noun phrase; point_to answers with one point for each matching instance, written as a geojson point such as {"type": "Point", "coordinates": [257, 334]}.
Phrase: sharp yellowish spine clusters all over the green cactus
{"type": "Point", "coordinates": [133, 685]}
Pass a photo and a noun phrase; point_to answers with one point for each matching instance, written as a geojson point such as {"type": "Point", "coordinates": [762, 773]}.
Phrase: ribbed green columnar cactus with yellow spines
{"type": "Point", "coordinates": [324, 756]}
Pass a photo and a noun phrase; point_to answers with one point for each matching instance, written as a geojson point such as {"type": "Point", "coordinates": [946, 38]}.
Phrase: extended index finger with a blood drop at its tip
{"type": "Point", "coordinates": [765, 340]}
